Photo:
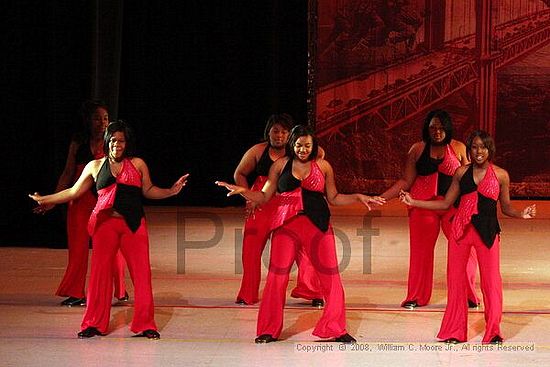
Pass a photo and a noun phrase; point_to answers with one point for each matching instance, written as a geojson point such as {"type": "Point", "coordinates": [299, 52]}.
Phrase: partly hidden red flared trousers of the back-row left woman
{"type": "Point", "coordinates": [74, 280]}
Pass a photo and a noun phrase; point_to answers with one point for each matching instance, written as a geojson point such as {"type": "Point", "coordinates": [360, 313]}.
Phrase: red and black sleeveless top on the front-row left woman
{"type": "Point", "coordinates": [121, 193]}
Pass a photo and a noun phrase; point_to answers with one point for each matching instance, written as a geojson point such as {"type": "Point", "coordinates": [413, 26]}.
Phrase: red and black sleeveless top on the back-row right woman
{"type": "Point", "coordinates": [434, 176]}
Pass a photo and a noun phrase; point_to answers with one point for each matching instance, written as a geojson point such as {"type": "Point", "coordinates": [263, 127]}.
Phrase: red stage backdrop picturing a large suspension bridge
{"type": "Point", "coordinates": [378, 67]}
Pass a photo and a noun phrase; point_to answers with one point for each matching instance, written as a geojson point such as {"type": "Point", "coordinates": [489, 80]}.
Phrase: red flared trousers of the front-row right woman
{"type": "Point", "coordinates": [455, 319]}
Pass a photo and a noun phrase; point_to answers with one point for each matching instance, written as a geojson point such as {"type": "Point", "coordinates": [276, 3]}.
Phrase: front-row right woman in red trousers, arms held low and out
{"type": "Point", "coordinates": [478, 187]}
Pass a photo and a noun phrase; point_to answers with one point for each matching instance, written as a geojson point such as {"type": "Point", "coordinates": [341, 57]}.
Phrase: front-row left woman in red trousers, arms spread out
{"type": "Point", "coordinates": [117, 223]}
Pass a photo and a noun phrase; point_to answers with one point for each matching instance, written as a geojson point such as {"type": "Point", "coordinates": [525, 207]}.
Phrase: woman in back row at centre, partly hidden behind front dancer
{"type": "Point", "coordinates": [256, 162]}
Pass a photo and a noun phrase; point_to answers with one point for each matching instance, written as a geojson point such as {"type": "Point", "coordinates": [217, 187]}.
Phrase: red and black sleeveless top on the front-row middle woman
{"type": "Point", "coordinates": [297, 197]}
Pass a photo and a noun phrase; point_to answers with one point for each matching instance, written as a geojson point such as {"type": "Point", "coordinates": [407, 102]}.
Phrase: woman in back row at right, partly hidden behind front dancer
{"type": "Point", "coordinates": [430, 166]}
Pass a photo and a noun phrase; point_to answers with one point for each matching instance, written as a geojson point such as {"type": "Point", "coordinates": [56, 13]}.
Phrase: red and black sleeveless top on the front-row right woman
{"type": "Point", "coordinates": [478, 205]}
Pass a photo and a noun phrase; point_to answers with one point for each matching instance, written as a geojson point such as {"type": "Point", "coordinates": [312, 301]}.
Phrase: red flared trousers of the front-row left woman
{"type": "Point", "coordinates": [112, 234]}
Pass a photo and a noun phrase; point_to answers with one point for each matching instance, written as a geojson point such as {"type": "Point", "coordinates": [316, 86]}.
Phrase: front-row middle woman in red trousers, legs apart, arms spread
{"type": "Point", "coordinates": [301, 220]}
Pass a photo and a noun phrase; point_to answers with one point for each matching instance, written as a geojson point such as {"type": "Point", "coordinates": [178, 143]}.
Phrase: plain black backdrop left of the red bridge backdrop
{"type": "Point", "coordinates": [197, 81]}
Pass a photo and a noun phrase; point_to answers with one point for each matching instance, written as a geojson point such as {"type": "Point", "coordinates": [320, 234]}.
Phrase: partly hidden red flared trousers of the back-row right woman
{"type": "Point", "coordinates": [424, 227]}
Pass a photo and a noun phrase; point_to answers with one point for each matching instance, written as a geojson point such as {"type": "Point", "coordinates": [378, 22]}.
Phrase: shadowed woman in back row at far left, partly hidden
{"type": "Point", "coordinates": [84, 147]}
